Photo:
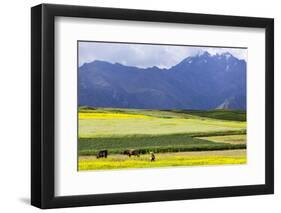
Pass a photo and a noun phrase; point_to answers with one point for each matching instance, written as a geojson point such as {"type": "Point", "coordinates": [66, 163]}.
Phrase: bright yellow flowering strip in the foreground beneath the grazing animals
{"type": "Point", "coordinates": [164, 160]}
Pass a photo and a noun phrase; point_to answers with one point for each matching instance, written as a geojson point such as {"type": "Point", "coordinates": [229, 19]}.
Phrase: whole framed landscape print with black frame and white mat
{"type": "Point", "coordinates": [139, 106]}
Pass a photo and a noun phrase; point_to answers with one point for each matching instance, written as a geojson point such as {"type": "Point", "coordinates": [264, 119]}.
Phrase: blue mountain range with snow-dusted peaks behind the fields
{"type": "Point", "coordinates": [200, 82]}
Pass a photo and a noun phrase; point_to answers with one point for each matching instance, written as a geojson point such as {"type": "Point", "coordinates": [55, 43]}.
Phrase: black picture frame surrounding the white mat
{"type": "Point", "coordinates": [43, 102]}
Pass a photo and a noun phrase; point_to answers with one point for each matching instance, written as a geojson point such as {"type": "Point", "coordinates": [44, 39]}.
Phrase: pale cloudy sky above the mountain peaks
{"type": "Point", "coordinates": [145, 55]}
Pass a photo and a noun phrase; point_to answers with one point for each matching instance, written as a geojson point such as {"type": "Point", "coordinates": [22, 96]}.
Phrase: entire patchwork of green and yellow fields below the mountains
{"type": "Point", "coordinates": [166, 133]}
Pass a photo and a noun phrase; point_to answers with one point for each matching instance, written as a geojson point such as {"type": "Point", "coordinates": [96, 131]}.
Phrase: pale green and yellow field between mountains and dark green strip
{"type": "Point", "coordinates": [124, 122]}
